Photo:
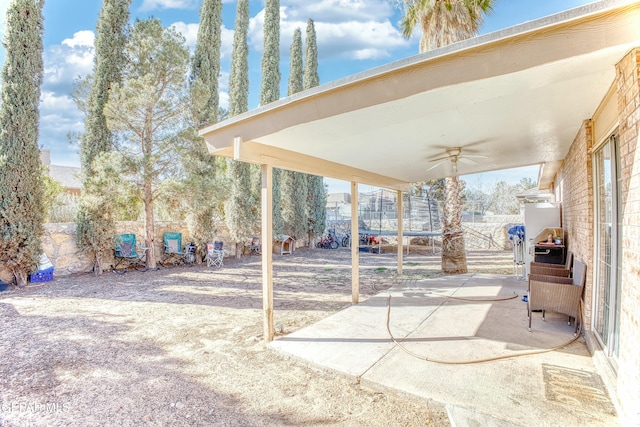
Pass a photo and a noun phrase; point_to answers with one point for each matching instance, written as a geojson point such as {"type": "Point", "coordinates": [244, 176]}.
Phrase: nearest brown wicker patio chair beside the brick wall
{"type": "Point", "coordinates": [558, 294]}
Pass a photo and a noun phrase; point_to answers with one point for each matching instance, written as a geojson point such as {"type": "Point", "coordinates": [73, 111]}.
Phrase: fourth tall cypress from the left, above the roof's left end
{"type": "Point", "coordinates": [240, 209]}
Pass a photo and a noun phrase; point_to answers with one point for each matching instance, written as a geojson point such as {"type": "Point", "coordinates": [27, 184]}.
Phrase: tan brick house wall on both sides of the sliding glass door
{"type": "Point", "coordinates": [575, 178]}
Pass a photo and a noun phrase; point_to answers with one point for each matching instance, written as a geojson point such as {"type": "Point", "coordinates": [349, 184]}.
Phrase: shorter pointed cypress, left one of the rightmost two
{"type": "Point", "coordinates": [294, 184]}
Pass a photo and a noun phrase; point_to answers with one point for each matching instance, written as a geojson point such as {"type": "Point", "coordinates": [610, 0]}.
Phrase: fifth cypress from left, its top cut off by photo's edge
{"type": "Point", "coordinates": [270, 89]}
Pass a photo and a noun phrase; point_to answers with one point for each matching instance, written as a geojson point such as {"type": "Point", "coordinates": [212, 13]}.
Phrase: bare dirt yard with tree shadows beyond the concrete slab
{"type": "Point", "coordinates": [184, 346]}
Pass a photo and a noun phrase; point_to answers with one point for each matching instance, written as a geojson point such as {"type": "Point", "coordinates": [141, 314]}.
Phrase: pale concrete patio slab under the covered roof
{"type": "Point", "coordinates": [446, 328]}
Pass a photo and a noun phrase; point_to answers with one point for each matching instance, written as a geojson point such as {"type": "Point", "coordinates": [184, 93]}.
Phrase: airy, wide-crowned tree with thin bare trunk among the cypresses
{"type": "Point", "coordinates": [155, 91]}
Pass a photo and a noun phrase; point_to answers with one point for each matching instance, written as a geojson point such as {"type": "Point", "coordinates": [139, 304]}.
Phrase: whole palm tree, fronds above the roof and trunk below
{"type": "Point", "coordinates": [443, 22]}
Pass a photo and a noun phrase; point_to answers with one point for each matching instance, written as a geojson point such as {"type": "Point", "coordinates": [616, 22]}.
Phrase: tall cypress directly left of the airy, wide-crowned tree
{"type": "Point", "coordinates": [96, 217]}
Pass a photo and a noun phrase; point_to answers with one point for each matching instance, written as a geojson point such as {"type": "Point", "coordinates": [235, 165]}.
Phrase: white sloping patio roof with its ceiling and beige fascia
{"type": "Point", "coordinates": [518, 97]}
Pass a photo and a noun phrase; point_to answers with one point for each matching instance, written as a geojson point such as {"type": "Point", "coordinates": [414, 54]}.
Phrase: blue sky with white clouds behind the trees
{"type": "Point", "coordinates": [352, 36]}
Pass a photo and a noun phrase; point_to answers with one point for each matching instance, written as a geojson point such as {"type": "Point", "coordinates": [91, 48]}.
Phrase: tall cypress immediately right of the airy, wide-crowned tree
{"type": "Point", "coordinates": [204, 182]}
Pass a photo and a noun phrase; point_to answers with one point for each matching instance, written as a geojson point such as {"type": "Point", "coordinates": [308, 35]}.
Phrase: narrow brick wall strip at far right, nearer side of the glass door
{"type": "Point", "coordinates": [628, 92]}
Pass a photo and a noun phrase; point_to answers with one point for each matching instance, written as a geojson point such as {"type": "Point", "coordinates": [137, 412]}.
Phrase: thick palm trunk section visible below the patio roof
{"type": "Point", "coordinates": [454, 258]}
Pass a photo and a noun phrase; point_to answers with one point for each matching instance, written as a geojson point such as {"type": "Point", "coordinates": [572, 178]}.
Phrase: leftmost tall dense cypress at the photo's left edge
{"type": "Point", "coordinates": [21, 185]}
